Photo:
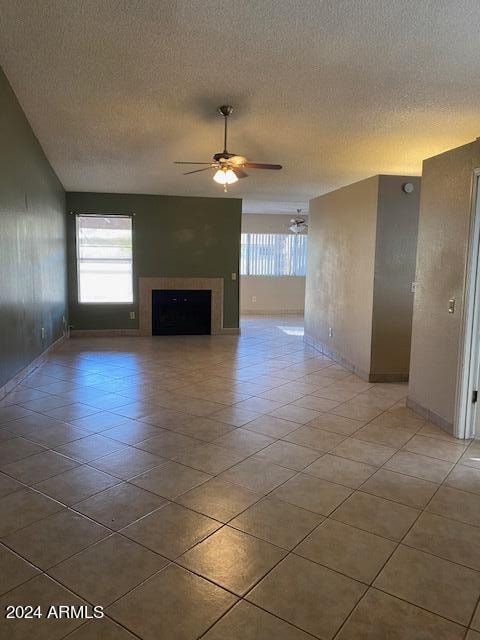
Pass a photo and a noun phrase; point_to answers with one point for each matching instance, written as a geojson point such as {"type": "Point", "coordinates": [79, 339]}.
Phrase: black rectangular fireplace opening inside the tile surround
{"type": "Point", "coordinates": [181, 312]}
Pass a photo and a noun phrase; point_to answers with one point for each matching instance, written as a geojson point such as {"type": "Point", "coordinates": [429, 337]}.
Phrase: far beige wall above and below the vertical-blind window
{"type": "Point", "coordinates": [273, 295]}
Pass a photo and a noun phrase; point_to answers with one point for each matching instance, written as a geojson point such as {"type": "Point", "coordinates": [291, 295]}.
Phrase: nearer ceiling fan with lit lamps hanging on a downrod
{"type": "Point", "coordinates": [229, 166]}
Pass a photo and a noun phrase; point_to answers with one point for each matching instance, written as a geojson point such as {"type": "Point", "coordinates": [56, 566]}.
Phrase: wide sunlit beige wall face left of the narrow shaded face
{"type": "Point", "coordinates": [340, 272]}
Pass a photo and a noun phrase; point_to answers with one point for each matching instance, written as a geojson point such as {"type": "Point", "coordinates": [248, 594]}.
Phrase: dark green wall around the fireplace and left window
{"type": "Point", "coordinates": [172, 236]}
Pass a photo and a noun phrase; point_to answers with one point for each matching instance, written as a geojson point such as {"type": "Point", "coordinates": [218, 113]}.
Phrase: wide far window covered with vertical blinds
{"type": "Point", "coordinates": [273, 254]}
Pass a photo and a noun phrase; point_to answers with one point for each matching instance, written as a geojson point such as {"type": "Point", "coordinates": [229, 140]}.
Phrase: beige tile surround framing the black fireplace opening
{"type": "Point", "coordinates": [147, 285]}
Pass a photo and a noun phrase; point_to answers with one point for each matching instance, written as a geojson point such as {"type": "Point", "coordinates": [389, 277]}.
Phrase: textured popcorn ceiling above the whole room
{"type": "Point", "coordinates": [334, 90]}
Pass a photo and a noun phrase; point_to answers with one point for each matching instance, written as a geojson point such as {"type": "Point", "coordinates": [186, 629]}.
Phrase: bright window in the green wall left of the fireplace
{"type": "Point", "coordinates": [104, 258]}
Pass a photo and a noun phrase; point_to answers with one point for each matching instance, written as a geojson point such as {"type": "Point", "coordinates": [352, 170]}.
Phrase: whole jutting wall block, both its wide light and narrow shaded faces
{"type": "Point", "coordinates": [361, 262]}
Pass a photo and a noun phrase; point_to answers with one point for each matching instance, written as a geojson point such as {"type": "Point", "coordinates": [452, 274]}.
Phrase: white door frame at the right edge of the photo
{"type": "Point", "coordinates": [468, 378]}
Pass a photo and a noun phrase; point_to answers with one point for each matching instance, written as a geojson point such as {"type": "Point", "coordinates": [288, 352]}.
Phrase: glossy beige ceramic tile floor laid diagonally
{"type": "Point", "coordinates": [232, 488]}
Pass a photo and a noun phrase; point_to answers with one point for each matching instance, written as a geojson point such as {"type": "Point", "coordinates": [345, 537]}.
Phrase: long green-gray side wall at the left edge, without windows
{"type": "Point", "coordinates": [32, 242]}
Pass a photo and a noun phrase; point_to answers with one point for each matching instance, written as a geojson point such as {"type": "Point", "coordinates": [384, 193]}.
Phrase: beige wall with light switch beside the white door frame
{"type": "Point", "coordinates": [444, 222]}
